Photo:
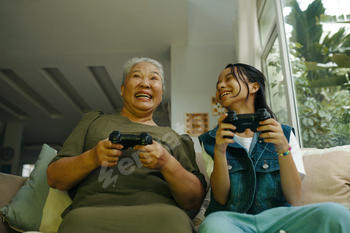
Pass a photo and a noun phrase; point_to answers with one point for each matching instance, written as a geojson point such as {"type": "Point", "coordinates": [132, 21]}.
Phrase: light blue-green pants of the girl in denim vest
{"type": "Point", "coordinates": [315, 218]}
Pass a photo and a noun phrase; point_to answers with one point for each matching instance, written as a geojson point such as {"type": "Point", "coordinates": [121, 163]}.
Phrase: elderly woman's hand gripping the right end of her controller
{"type": "Point", "coordinates": [153, 156]}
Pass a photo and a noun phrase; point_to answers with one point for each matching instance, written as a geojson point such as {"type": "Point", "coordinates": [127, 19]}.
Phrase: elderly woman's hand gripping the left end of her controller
{"type": "Point", "coordinates": [106, 153]}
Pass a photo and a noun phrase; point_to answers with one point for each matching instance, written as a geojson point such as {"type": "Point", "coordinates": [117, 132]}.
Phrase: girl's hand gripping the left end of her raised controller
{"type": "Point", "coordinates": [222, 133]}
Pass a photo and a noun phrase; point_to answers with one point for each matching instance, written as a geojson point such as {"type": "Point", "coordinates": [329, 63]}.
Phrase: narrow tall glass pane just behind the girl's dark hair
{"type": "Point", "coordinates": [276, 87]}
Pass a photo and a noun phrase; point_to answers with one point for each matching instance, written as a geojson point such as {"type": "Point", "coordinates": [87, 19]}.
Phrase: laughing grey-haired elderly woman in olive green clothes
{"type": "Point", "coordinates": [147, 188]}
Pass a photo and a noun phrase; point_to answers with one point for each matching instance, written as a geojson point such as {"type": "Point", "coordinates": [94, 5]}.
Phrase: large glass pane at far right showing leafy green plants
{"type": "Point", "coordinates": [319, 50]}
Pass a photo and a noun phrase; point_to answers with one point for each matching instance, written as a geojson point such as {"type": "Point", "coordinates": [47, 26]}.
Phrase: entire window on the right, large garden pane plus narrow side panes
{"type": "Point", "coordinates": [313, 37]}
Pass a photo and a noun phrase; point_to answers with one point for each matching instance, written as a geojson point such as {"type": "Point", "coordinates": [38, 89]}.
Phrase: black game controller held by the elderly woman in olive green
{"type": "Point", "coordinates": [130, 140]}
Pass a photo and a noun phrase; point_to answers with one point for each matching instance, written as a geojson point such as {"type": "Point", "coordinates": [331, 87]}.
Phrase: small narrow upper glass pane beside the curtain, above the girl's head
{"type": "Point", "coordinates": [267, 20]}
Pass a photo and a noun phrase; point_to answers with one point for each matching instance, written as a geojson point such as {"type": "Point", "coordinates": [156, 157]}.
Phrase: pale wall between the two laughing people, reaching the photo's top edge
{"type": "Point", "coordinates": [196, 66]}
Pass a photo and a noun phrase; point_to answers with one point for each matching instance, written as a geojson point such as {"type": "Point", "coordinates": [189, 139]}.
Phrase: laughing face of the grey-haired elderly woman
{"type": "Point", "coordinates": [143, 88]}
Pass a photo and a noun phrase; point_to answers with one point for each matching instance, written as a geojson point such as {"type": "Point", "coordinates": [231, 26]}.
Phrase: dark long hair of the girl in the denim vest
{"type": "Point", "coordinates": [243, 72]}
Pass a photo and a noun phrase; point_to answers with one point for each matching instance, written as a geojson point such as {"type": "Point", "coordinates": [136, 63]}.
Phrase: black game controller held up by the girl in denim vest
{"type": "Point", "coordinates": [246, 121]}
